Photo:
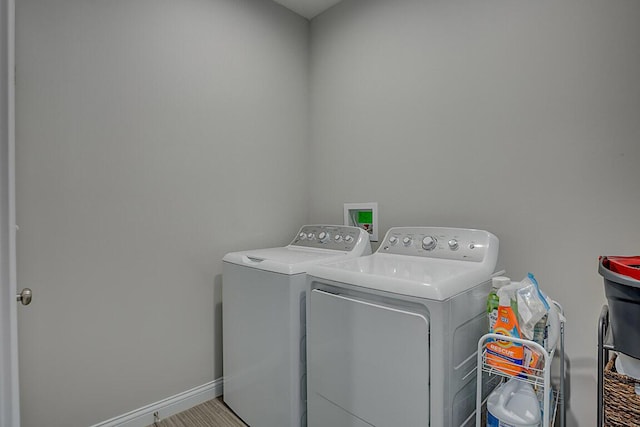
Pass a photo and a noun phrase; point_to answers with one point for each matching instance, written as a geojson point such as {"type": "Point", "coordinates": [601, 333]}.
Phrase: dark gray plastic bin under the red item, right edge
{"type": "Point", "coordinates": [623, 296]}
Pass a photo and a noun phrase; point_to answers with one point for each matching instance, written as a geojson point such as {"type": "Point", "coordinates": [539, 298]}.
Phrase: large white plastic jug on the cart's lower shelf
{"type": "Point", "coordinates": [513, 404]}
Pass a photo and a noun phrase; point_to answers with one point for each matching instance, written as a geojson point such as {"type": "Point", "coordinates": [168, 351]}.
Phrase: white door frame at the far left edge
{"type": "Point", "coordinates": [9, 384]}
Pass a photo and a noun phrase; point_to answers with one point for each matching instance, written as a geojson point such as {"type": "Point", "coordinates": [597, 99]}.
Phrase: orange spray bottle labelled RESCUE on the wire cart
{"type": "Point", "coordinates": [506, 356]}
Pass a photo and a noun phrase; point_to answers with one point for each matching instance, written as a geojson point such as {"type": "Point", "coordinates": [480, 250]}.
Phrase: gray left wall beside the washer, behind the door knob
{"type": "Point", "coordinates": [153, 137]}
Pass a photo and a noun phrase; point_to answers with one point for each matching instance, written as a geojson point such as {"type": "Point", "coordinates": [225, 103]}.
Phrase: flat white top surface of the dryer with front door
{"type": "Point", "coordinates": [430, 278]}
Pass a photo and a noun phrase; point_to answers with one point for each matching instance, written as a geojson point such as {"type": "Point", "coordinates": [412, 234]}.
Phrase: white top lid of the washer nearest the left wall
{"type": "Point", "coordinates": [287, 260]}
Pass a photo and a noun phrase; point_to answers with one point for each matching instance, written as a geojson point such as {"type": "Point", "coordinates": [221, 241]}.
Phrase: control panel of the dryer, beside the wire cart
{"type": "Point", "coordinates": [460, 244]}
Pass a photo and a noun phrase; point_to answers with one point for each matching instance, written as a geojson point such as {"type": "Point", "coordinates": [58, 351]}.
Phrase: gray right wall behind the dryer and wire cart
{"type": "Point", "coordinates": [522, 118]}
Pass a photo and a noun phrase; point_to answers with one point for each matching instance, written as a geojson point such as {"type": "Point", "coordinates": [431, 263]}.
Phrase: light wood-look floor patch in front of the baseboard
{"type": "Point", "coordinates": [213, 413]}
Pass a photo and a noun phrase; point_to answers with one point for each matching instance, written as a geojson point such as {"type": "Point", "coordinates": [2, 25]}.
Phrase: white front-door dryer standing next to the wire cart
{"type": "Point", "coordinates": [392, 337]}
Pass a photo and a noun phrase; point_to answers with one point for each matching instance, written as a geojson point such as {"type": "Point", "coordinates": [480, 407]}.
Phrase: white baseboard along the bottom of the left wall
{"type": "Point", "coordinates": [165, 408]}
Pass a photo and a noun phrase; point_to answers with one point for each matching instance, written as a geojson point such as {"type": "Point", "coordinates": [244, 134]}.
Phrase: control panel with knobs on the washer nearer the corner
{"type": "Point", "coordinates": [340, 238]}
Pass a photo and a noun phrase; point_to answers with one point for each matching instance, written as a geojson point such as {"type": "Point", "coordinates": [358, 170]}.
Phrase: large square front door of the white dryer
{"type": "Point", "coordinates": [367, 363]}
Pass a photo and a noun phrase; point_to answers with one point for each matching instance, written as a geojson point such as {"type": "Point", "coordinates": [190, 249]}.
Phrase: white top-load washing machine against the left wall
{"type": "Point", "coordinates": [263, 321]}
